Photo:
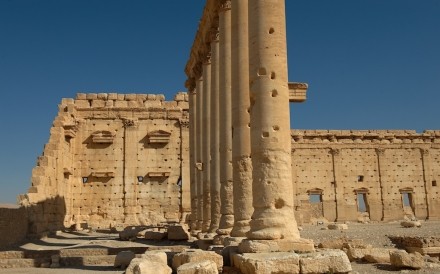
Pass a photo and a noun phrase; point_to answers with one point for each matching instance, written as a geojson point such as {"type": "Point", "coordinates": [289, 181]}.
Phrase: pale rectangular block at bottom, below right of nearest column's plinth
{"type": "Point", "coordinates": [327, 261]}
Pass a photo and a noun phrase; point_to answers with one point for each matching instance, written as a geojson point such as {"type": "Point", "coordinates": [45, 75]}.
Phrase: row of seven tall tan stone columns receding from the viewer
{"type": "Point", "coordinates": [240, 149]}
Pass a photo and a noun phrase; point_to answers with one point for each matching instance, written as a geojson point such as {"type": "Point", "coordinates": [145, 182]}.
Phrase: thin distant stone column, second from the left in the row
{"type": "Point", "coordinates": [199, 152]}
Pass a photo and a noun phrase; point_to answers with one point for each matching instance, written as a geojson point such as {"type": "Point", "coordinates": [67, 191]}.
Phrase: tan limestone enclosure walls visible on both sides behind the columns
{"type": "Point", "coordinates": [115, 159]}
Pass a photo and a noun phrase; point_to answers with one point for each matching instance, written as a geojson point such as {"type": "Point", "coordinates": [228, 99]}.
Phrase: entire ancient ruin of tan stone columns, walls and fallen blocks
{"type": "Point", "coordinates": [222, 161]}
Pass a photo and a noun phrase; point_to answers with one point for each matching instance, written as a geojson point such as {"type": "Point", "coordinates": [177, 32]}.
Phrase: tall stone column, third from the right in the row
{"type": "Point", "coordinates": [226, 210]}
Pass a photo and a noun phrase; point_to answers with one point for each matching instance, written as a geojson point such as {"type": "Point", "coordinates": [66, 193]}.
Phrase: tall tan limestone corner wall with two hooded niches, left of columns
{"type": "Point", "coordinates": [113, 159]}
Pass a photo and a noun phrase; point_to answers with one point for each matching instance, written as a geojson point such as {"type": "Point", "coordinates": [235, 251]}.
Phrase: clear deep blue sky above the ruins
{"type": "Point", "coordinates": [370, 64]}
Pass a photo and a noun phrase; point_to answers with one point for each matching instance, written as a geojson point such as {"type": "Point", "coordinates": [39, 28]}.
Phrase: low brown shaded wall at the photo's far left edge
{"type": "Point", "coordinates": [13, 226]}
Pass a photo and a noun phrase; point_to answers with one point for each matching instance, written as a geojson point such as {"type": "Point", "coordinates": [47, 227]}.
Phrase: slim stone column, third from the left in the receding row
{"type": "Point", "coordinates": [206, 144]}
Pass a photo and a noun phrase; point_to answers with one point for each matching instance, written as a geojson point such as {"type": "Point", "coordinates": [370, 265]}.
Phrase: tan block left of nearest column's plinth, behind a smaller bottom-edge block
{"type": "Point", "coordinates": [194, 256]}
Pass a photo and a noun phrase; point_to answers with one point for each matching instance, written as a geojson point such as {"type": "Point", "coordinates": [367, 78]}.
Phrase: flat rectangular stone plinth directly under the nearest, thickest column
{"type": "Point", "coordinates": [267, 246]}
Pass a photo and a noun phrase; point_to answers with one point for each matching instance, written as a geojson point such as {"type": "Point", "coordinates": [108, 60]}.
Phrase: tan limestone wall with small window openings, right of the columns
{"type": "Point", "coordinates": [394, 172]}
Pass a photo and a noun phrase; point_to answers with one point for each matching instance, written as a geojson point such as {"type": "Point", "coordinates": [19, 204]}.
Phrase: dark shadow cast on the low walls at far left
{"type": "Point", "coordinates": [31, 220]}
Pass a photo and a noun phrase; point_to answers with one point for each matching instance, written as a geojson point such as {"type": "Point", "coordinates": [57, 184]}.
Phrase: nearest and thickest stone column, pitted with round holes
{"type": "Point", "coordinates": [273, 218]}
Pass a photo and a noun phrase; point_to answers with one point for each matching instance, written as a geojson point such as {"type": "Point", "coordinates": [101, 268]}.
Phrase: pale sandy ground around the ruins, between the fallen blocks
{"type": "Point", "coordinates": [374, 234]}
